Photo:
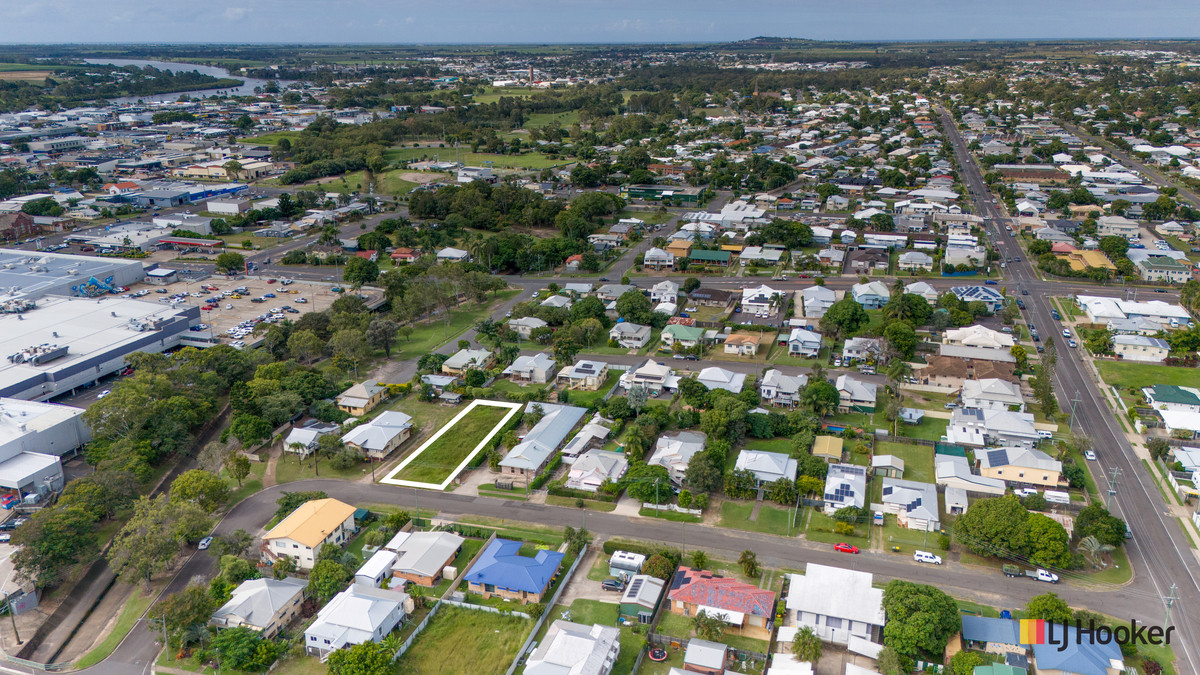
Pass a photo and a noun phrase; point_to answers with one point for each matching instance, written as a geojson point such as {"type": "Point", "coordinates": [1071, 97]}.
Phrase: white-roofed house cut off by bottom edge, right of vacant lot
{"type": "Point", "coordinates": [574, 649]}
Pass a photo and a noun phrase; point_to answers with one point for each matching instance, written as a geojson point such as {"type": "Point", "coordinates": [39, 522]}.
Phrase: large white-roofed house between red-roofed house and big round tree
{"type": "Point", "coordinates": [839, 605]}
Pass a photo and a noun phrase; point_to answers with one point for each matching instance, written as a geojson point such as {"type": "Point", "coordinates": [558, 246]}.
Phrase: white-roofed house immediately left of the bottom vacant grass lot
{"type": "Point", "coordinates": [357, 616]}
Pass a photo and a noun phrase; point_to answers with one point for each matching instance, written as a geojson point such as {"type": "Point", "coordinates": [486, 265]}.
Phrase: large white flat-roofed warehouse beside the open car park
{"type": "Point", "coordinates": [70, 343]}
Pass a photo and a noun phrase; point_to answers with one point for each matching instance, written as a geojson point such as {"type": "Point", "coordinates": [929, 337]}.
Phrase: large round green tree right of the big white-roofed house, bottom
{"type": "Point", "coordinates": [921, 619]}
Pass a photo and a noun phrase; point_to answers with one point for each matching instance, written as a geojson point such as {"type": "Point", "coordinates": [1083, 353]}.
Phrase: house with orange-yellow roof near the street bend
{"type": "Point", "coordinates": [313, 525]}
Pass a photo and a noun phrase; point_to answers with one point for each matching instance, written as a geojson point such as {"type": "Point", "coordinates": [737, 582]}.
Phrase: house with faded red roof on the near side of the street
{"type": "Point", "coordinates": [747, 610]}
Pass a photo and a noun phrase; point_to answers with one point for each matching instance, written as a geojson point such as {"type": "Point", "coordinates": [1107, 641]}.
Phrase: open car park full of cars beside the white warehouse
{"type": "Point", "coordinates": [229, 316]}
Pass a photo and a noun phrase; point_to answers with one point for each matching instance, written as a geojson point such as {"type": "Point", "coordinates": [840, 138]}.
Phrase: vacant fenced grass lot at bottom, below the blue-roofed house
{"type": "Point", "coordinates": [464, 641]}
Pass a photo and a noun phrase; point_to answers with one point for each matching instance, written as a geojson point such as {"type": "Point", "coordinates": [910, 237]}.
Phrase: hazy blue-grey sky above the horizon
{"type": "Point", "coordinates": [410, 22]}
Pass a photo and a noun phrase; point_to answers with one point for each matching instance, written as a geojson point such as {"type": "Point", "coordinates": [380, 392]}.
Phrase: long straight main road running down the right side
{"type": "Point", "coordinates": [1160, 552]}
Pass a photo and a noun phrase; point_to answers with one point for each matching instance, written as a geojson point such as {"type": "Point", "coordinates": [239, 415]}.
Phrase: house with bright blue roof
{"type": "Point", "coordinates": [503, 572]}
